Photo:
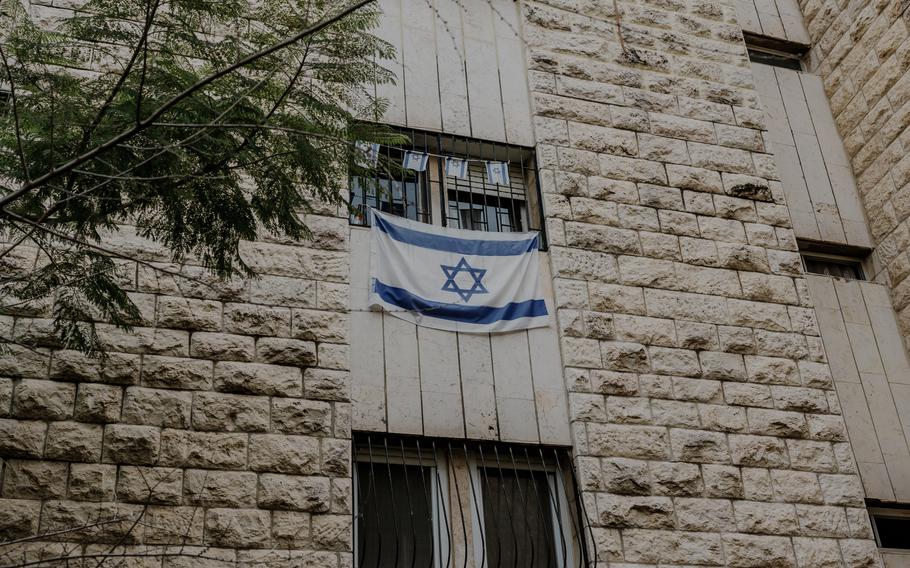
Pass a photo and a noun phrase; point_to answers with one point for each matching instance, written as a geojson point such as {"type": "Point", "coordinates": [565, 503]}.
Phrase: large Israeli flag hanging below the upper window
{"type": "Point", "coordinates": [453, 279]}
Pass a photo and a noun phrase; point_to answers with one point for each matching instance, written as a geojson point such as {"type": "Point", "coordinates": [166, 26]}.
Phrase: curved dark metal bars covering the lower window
{"type": "Point", "coordinates": [435, 503]}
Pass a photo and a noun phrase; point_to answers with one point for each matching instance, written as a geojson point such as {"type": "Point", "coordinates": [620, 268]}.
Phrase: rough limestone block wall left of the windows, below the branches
{"type": "Point", "coordinates": [217, 432]}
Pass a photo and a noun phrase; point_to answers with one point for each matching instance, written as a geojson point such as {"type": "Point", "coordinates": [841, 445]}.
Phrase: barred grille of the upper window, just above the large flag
{"type": "Point", "coordinates": [433, 197]}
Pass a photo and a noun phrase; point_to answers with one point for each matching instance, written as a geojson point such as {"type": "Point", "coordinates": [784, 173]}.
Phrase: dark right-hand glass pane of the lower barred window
{"type": "Point", "coordinates": [518, 513]}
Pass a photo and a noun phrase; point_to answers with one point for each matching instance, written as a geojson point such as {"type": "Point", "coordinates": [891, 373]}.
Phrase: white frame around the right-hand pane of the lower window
{"type": "Point", "coordinates": [561, 519]}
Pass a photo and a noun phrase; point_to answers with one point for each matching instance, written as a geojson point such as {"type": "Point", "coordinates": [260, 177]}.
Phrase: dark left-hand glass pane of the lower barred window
{"type": "Point", "coordinates": [394, 515]}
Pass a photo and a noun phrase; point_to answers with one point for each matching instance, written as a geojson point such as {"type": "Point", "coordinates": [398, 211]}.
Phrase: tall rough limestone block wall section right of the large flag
{"type": "Point", "coordinates": [705, 424]}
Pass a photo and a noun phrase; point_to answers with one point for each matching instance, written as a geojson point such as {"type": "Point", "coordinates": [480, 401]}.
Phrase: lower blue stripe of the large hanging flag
{"type": "Point", "coordinates": [459, 312]}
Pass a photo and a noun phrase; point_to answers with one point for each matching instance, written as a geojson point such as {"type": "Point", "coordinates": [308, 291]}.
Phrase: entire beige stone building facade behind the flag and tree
{"type": "Point", "coordinates": [719, 405]}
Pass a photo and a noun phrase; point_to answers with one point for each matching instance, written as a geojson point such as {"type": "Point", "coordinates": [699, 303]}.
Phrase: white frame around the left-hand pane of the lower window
{"type": "Point", "coordinates": [433, 460]}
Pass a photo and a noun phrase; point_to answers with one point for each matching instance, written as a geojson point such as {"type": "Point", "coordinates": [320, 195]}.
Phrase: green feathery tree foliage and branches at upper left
{"type": "Point", "coordinates": [123, 113]}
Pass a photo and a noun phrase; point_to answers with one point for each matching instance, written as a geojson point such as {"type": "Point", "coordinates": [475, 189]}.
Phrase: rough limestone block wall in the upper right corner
{"type": "Point", "coordinates": [862, 52]}
